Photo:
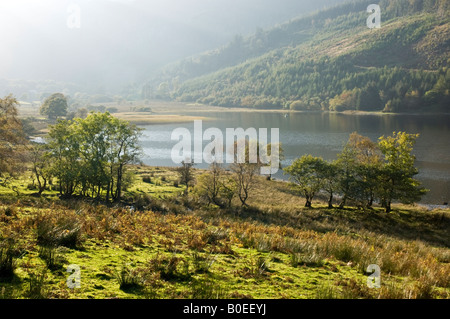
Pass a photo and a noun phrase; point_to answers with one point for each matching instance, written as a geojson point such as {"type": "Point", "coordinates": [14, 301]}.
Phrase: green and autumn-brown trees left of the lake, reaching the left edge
{"type": "Point", "coordinates": [87, 157]}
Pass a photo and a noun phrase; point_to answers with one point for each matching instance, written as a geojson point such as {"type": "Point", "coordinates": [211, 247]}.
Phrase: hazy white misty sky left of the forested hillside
{"type": "Point", "coordinates": [121, 41]}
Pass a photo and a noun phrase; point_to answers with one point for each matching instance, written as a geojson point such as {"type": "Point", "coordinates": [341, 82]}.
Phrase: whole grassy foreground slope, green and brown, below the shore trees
{"type": "Point", "coordinates": [162, 245]}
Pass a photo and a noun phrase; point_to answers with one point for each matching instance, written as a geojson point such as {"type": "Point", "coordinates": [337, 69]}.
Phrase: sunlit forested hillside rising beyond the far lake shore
{"type": "Point", "coordinates": [329, 60]}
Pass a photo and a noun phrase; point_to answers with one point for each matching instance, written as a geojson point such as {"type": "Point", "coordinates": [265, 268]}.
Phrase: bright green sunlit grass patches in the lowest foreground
{"type": "Point", "coordinates": [99, 263]}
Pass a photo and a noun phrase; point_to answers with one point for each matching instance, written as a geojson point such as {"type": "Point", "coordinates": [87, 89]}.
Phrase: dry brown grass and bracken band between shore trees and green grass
{"type": "Point", "coordinates": [414, 263]}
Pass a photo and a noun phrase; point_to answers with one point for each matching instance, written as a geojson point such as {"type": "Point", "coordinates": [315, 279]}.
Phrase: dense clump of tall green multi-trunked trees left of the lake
{"type": "Point", "coordinates": [90, 155]}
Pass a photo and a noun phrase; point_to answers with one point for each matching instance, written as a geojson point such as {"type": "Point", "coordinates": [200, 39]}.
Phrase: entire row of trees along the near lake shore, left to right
{"type": "Point", "coordinates": [90, 156]}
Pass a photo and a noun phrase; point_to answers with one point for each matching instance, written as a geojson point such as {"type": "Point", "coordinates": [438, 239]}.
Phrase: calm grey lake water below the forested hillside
{"type": "Point", "coordinates": [324, 134]}
